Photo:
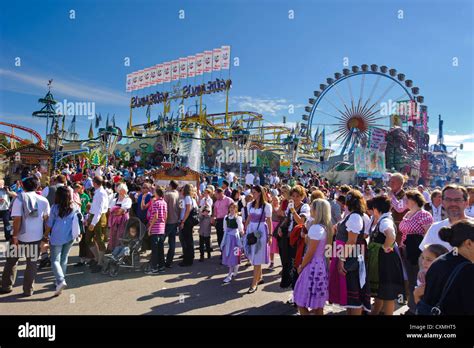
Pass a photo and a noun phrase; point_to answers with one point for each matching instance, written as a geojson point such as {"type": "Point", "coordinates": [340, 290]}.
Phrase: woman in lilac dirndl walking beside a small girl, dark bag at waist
{"type": "Point", "coordinates": [258, 226]}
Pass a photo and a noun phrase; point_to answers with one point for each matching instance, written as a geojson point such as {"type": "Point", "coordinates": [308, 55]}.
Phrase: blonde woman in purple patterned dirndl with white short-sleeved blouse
{"type": "Point", "coordinates": [311, 289]}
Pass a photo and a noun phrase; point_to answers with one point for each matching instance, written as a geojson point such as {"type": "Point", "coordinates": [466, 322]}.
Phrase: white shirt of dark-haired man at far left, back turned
{"type": "Point", "coordinates": [34, 225]}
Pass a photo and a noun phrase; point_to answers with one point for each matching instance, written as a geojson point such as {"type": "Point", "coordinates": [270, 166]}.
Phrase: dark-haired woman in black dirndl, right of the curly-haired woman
{"type": "Point", "coordinates": [384, 264]}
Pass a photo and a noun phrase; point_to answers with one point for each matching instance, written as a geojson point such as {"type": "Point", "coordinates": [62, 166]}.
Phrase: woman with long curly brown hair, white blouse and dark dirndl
{"type": "Point", "coordinates": [348, 281]}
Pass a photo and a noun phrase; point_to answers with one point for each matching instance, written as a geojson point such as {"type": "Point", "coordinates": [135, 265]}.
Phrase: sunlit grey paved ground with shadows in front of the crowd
{"type": "Point", "coordinates": [190, 290]}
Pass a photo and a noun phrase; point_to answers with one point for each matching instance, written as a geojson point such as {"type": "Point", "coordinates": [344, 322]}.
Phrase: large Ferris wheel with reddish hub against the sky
{"type": "Point", "coordinates": [346, 107]}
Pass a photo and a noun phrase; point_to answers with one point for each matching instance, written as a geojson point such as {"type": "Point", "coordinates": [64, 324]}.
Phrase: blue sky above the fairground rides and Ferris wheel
{"type": "Point", "coordinates": [282, 60]}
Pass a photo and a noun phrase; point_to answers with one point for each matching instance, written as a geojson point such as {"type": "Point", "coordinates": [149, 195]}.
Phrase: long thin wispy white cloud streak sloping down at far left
{"type": "Point", "coordinates": [21, 82]}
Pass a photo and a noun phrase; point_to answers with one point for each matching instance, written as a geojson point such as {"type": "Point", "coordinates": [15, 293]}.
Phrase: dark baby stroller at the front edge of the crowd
{"type": "Point", "coordinates": [130, 258]}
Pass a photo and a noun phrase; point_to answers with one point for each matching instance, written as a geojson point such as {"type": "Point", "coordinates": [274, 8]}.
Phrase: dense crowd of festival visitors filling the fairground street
{"type": "Point", "coordinates": [362, 247]}
